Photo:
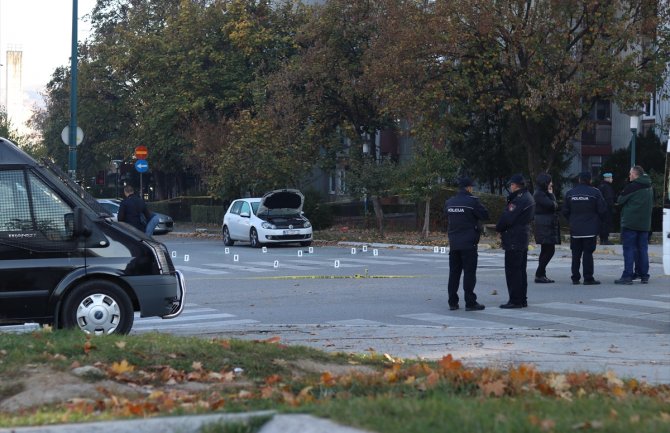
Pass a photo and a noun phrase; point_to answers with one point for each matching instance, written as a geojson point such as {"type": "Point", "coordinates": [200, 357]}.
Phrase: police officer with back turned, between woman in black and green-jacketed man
{"type": "Point", "coordinates": [585, 209]}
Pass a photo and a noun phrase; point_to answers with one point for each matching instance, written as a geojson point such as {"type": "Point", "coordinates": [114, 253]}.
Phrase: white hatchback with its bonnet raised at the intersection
{"type": "Point", "coordinates": [272, 219]}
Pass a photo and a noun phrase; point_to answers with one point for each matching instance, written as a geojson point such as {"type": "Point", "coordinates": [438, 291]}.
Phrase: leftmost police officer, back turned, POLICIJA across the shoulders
{"type": "Point", "coordinates": [464, 215]}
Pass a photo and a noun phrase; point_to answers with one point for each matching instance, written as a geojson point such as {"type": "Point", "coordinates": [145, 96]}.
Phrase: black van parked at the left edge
{"type": "Point", "coordinates": [64, 261]}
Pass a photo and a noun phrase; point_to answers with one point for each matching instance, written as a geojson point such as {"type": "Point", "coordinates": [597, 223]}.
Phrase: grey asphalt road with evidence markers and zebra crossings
{"type": "Point", "coordinates": [238, 285]}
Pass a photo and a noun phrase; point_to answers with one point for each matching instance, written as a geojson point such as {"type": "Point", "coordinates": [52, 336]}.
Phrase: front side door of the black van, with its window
{"type": "Point", "coordinates": [37, 245]}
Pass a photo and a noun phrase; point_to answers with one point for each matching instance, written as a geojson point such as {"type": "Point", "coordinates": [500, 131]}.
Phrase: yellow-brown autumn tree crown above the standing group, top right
{"type": "Point", "coordinates": [548, 62]}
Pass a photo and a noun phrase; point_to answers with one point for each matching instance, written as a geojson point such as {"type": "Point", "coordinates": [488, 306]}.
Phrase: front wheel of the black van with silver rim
{"type": "Point", "coordinates": [98, 307]}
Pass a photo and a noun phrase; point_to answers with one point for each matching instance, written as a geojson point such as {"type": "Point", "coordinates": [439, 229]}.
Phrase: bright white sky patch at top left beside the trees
{"type": "Point", "coordinates": [42, 30]}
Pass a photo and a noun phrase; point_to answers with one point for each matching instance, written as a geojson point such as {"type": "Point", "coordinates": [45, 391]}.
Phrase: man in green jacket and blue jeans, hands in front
{"type": "Point", "coordinates": [636, 202]}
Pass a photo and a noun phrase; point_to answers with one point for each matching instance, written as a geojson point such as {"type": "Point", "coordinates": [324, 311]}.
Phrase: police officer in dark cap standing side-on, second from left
{"type": "Point", "coordinates": [514, 229]}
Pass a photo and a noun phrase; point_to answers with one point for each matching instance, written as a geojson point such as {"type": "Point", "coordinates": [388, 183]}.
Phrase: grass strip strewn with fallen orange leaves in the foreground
{"type": "Point", "coordinates": [373, 392]}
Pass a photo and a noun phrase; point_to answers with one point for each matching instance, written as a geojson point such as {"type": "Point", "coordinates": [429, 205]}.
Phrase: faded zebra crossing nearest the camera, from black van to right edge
{"type": "Point", "coordinates": [616, 314]}
